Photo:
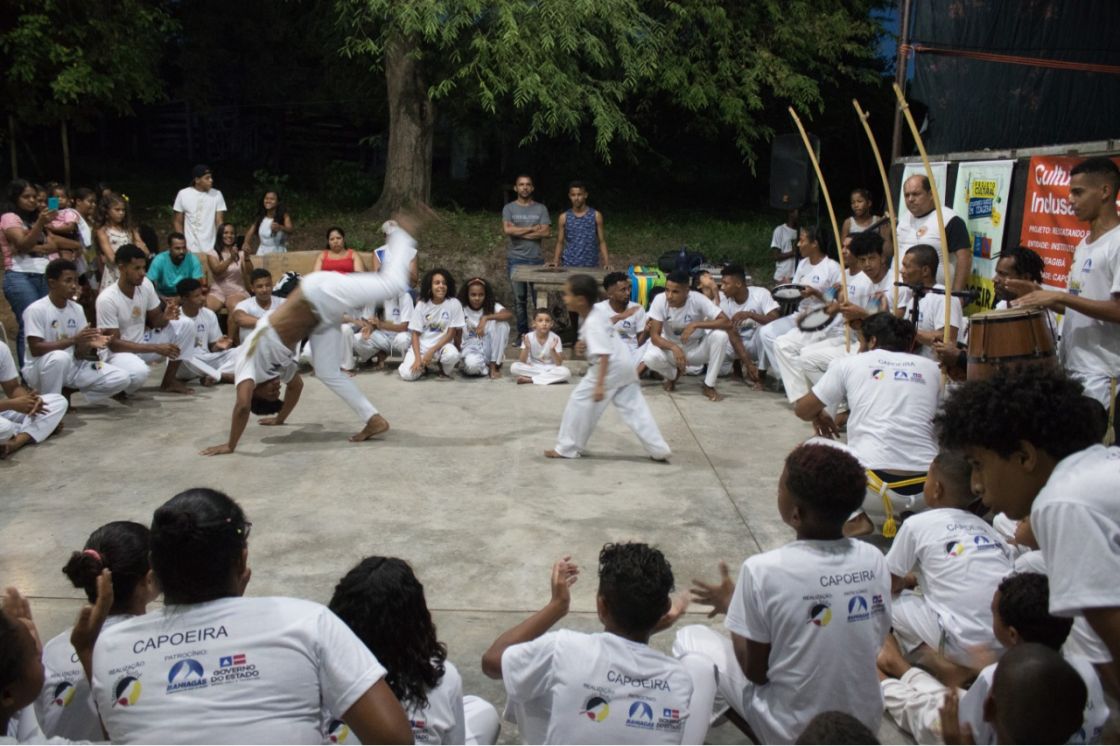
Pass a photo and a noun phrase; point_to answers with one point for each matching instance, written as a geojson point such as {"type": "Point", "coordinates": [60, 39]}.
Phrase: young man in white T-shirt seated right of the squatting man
{"type": "Point", "coordinates": [748, 309]}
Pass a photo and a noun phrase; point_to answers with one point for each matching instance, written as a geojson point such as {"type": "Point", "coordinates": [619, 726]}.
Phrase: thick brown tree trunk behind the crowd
{"type": "Point", "coordinates": [412, 126]}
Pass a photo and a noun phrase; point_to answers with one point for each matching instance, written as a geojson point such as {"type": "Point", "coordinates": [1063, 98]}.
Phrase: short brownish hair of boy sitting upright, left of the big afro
{"type": "Point", "coordinates": [828, 481]}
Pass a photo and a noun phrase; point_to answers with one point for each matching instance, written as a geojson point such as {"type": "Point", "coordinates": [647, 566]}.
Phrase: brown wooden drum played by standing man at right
{"type": "Point", "coordinates": [1010, 338]}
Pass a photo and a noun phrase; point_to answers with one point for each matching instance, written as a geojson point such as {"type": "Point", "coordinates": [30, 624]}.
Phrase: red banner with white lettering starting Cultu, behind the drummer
{"type": "Point", "coordinates": [1049, 225]}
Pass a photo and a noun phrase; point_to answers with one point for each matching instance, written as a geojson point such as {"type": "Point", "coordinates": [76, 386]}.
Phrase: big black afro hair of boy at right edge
{"type": "Point", "coordinates": [1043, 407]}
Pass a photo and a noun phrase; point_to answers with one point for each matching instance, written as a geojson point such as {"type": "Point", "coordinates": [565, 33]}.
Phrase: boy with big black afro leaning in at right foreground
{"type": "Point", "coordinates": [1038, 456]}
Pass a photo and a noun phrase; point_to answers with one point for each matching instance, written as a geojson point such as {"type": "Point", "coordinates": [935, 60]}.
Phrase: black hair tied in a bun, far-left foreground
{"type": "Point", "coordinates": [122, 547]}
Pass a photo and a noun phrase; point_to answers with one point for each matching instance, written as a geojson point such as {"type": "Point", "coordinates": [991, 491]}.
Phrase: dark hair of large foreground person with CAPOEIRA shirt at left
{"type": "Point", "coordinates": [198, 539]}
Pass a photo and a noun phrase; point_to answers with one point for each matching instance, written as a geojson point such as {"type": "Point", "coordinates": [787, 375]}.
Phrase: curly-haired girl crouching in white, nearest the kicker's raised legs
{"type": "Point", "coordinates": [434, 324]}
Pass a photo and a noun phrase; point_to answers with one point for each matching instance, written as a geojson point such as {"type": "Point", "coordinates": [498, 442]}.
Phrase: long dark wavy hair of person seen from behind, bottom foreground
{"type": "Point", "coordinates": [384, 603]}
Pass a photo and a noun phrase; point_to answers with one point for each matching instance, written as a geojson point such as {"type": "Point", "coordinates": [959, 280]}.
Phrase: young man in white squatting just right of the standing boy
{"type": "Point", "coordinates": [686, 329]}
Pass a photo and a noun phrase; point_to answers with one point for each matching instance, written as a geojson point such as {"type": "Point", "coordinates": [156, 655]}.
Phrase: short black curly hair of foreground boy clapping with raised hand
{"type": "Point", "coordinates": [636, 581]}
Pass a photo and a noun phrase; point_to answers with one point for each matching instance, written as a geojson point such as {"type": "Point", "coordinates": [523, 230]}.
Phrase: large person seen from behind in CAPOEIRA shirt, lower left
{"type": "Point", "coordinates": [305, 656]}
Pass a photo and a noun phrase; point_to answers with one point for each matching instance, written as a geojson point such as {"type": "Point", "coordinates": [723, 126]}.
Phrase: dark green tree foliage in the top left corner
{"type": "Point", "coordinates": [73, 60]}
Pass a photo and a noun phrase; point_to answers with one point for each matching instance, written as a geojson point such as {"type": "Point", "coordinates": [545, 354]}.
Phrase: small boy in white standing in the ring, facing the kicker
{"type": "Point", "coordinates": [610, 379]}
